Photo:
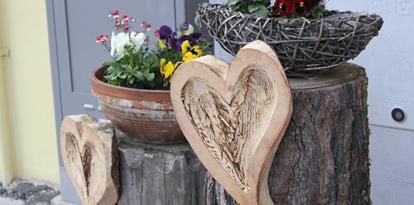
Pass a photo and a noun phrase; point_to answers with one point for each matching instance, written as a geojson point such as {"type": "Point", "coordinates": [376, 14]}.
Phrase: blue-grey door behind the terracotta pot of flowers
{"type": "Point", "coordinates": [73, 26]}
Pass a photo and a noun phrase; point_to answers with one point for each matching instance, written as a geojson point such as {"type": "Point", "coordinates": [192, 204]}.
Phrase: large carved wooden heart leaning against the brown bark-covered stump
{"type": "Point", "coordinates": [234, 117]}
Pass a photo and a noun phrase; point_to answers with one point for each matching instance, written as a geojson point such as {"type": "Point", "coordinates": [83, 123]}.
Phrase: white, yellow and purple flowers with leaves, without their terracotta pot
{"type": "Point", "coordinates": [135, 65]}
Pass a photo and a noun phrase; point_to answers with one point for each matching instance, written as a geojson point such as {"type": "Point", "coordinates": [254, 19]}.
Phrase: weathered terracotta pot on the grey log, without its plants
{"type": "Point", "coordinates": [145, 115]}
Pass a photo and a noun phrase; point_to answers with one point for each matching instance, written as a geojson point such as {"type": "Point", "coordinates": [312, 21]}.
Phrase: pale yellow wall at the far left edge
{"type": "Point", "coordinates": [28, 90]}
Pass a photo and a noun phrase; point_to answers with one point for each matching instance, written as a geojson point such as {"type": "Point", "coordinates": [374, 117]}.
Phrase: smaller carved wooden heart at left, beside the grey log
{"type": "Point", "coordinates": [90, 157]}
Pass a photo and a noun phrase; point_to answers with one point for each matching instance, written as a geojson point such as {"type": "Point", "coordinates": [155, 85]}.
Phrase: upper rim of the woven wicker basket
{"type": "Point", "coordinates": [340, 14]}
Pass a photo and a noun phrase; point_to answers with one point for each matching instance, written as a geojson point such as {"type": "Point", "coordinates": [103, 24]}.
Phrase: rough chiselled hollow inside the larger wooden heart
{"type": "Point", "coordinates": [225, 128]}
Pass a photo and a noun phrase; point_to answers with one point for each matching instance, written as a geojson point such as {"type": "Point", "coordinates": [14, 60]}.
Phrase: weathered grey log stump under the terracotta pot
{"type": "Point", "coordinates": [160, 174]}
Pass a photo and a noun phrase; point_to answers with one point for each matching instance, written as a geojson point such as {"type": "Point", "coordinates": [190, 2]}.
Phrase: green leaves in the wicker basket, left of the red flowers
{"type": "Point", "coordinates": [256, 7]}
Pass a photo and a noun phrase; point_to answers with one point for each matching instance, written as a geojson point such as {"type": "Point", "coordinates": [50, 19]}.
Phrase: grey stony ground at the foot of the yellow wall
{"type": "Point", "coordinates": [27, 192]}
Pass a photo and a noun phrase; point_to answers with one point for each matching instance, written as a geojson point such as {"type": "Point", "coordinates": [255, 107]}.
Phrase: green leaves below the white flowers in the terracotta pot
{"type": "Point", "coordinates": [135, 69]}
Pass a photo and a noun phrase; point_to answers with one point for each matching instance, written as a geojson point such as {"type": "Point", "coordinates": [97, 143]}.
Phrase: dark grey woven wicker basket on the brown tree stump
{"type": "Point", "coordinates": [304, 46]}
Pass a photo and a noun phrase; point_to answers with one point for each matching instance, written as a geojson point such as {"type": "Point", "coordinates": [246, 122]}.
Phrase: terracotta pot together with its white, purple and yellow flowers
{"type": "Point", "coordinates": [133, 87]}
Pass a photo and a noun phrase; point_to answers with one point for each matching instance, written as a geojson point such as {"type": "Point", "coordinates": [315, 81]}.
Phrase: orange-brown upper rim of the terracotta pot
{"type": "Point", "coordinates": [101, 87]}
